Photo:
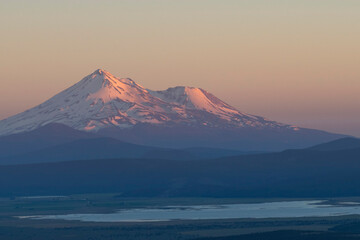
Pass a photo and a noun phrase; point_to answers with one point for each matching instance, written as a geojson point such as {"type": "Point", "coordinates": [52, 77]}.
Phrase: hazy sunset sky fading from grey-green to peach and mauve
{"type": "Point", "coordinates": [294, 61]}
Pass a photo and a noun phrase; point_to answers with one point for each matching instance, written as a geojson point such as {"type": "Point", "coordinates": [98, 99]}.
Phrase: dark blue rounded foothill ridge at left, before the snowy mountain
{"type": "Point", "coordinates": [57, 142]}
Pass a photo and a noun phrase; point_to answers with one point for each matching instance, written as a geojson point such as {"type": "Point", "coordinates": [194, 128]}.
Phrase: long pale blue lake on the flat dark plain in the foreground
{"type": "Point", "coordinates": [286, 209]}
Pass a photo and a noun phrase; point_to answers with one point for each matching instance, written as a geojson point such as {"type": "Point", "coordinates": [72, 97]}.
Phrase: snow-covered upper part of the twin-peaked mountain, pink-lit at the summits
{"type": "Point", "coordinates": [101, 100]}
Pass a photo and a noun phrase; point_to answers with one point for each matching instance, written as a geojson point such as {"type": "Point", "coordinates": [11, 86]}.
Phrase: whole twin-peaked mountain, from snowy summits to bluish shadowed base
{"type": "Point", "coordinates": [178, 117]}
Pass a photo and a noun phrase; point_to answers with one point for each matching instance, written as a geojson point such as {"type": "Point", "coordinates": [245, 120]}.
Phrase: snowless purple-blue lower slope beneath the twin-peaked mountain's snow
{"type": "Point", "coordinates": [243, 139]}
